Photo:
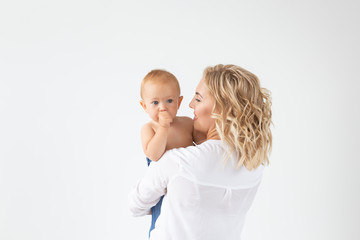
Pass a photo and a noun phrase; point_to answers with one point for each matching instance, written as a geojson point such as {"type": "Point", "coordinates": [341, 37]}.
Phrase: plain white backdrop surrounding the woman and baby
{"type": "Point", "coordinates": [70, 118]}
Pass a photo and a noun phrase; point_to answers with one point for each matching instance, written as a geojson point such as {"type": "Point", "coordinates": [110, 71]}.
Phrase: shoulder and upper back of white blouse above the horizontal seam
{"type": "Point", "coordinates": [209, 163]}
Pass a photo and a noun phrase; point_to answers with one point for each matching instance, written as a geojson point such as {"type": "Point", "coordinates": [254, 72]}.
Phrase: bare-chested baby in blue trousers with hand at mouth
{"type": "Point", "coordinates": [160, 98]}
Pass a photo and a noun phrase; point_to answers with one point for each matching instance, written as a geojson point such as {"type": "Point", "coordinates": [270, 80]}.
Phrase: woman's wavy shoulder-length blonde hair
{"type": "Point", "coordinates": [242, 111]}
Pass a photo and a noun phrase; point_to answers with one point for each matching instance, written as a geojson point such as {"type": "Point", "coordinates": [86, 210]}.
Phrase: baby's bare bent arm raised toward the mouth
{"type": "Point", "coordinates": [154, 143]}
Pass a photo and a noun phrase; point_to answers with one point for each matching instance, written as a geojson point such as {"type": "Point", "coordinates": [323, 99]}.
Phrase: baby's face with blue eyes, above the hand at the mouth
{"type": "Point", "coordinates": [160, 97]}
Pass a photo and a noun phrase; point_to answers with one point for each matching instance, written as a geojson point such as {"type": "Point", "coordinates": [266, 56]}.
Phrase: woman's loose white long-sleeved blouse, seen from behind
{"type": "Point", "coordinates": [205, 198]}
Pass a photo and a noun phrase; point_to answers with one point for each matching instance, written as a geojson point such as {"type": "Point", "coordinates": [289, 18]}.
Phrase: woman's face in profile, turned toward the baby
{"type": "Point", "coordinates": [203, 103]}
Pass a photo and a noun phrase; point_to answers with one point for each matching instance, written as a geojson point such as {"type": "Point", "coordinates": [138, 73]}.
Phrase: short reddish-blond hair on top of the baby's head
{"type": "Point", "coordinates": [159, 76]}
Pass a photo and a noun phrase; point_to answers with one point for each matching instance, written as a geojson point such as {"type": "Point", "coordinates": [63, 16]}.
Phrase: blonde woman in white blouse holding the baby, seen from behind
{"type": "Point", "coordinates": [209, 187]}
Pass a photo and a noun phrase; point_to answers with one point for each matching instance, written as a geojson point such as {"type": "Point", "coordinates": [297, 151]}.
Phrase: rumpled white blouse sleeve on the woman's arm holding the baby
{"type": "Point", "coordinates": [152, 186]}
